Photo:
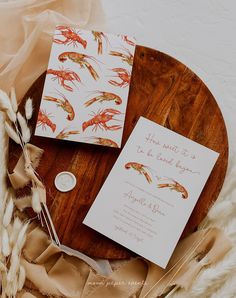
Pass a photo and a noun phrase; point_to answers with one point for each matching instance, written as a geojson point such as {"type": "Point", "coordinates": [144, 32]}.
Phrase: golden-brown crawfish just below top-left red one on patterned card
{"type": "Point", "coordinates": [82, 60]}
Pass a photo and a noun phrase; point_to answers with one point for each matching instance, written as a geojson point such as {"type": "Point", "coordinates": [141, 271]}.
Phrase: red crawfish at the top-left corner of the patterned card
{"type": "Point", "coordinates": [71, 37]}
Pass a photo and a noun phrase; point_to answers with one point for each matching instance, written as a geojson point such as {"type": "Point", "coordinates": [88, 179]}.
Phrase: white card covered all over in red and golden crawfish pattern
{"type": "Point", "coordinates": [86, 88]}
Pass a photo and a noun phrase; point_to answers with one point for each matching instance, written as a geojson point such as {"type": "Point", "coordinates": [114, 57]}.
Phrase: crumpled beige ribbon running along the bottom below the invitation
{"type": "Point", "coordinates": [54, 272]}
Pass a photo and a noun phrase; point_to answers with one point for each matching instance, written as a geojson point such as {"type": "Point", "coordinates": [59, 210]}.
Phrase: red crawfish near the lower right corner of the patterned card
{"type": "Point", "coordinates": [100, 120]}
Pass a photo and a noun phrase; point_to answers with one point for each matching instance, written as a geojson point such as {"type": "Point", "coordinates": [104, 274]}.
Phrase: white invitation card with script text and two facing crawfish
{"type": "Point", "coordinates": [151, 191]}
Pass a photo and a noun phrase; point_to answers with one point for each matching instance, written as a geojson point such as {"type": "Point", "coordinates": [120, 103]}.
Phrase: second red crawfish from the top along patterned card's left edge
{"type": "Point", "coordinates": [63, 75]}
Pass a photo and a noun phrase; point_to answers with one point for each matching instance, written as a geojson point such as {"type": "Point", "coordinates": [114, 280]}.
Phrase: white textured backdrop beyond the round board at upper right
{"type": "Point", "coordinates": [199, 33]}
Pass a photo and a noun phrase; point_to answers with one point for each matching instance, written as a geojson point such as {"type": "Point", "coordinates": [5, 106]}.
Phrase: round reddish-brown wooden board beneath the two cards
{"type": "Point", "coordinates": [163, 90]}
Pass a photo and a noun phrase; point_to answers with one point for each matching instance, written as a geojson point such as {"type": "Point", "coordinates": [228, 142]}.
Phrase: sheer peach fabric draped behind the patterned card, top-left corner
{"type": "Point", "coordinates": [26, 28]}
